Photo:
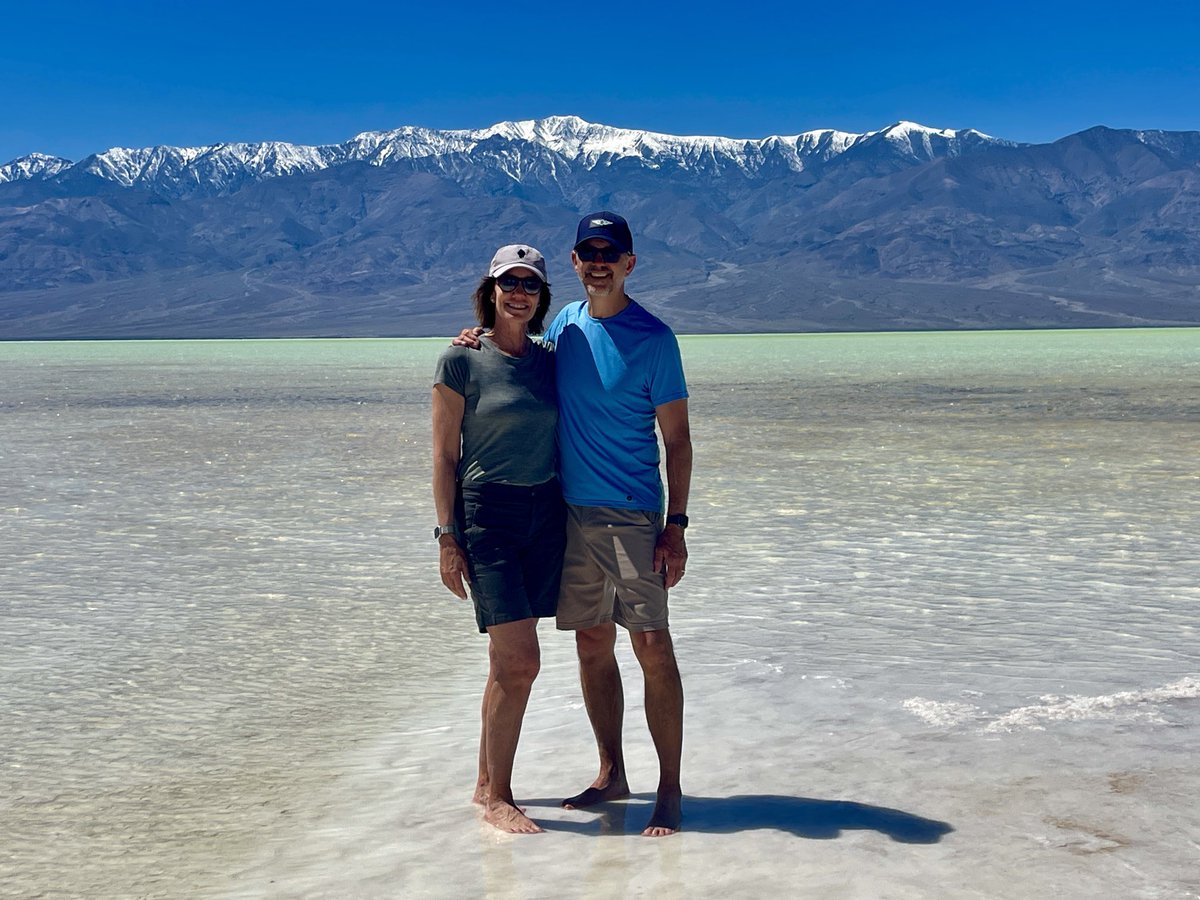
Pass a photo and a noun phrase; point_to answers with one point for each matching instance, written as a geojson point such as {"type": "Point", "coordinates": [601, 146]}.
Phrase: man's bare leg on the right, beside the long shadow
{"type": "Point", "coordinates": [664, 715]}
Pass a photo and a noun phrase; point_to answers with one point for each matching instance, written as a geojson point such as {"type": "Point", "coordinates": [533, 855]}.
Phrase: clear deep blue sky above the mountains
{"type": "Point", "coordinates": [81, 77]}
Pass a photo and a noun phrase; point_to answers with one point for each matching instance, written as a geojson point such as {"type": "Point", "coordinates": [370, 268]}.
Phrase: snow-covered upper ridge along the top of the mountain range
{"type": "Point", "coordinates": [518, 149]}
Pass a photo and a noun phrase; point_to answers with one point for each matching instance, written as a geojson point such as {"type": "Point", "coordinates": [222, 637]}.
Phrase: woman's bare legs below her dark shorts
{"type": "Point", "coordinates": [515, 662]}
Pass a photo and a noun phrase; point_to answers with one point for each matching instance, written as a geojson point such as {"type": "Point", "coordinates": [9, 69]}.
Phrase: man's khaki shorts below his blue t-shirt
{"type": "Point", "coordinates": [609, 571]}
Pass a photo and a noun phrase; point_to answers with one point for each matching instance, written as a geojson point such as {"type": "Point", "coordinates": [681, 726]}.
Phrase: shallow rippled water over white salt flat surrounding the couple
{"type": "Point", "coordinates": [938, 634]}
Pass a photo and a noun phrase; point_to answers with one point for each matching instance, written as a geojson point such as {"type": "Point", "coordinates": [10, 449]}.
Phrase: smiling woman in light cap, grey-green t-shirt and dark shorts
{"type": "Point", "coordinates": [500, 508]}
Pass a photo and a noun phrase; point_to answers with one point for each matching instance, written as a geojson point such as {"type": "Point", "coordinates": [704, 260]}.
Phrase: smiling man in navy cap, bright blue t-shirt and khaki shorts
{"type": "Point", "coordinates": [620, 375]}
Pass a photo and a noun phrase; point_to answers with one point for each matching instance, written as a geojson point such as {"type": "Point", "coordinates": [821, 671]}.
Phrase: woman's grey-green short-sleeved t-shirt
{"type": "Point", "coordinates": [511, 412]}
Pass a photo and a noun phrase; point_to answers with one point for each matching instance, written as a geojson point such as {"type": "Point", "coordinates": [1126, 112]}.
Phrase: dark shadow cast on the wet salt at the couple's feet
{"type": "Point", "coordinates": [802, 817]}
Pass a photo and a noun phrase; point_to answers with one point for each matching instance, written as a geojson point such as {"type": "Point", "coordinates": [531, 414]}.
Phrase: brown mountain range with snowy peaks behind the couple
{"type": "Point", "coordinates": [388, 233]}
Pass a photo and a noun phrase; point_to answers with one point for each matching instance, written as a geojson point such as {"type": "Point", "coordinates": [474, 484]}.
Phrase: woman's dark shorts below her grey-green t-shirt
{"type": "Point", "coordinates": [514, 537]}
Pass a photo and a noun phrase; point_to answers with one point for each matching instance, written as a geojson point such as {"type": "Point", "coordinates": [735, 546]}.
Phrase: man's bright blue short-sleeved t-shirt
{"type": "Point", "coordinates": [611, 376]}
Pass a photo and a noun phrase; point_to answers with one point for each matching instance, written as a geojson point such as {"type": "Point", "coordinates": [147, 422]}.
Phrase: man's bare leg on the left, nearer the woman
{"type": "Point", "coordinates": [605, 701]}
